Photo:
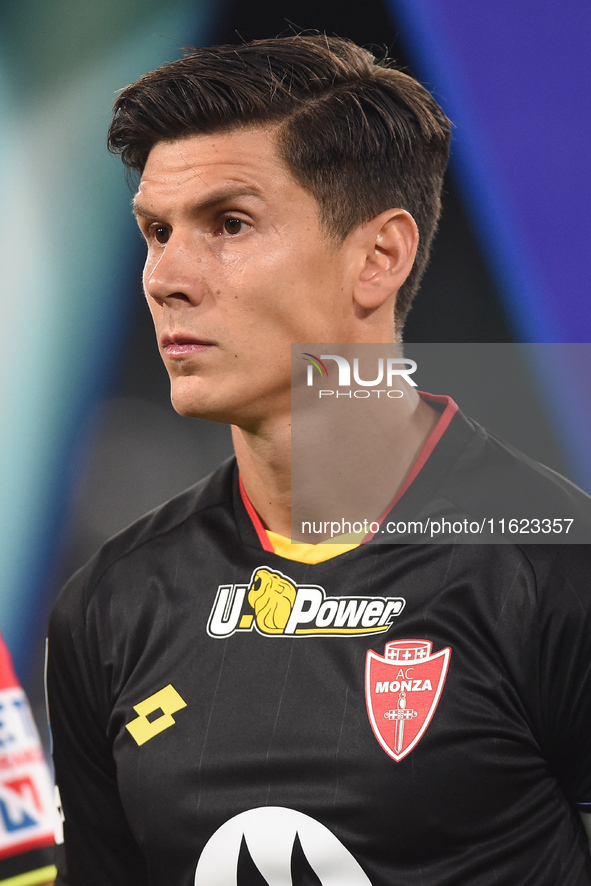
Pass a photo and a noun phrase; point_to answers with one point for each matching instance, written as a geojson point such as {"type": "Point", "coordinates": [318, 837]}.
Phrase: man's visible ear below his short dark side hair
{"type": "Point", "coordinates": [388, 246]}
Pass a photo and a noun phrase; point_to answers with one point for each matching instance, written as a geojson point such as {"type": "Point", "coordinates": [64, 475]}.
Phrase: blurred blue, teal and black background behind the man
{"type": "Point", "coordinates": [89, 441]}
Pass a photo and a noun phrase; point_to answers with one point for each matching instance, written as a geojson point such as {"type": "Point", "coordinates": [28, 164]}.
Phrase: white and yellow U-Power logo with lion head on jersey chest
{"type": "Point", "coordinates": [274, 605]}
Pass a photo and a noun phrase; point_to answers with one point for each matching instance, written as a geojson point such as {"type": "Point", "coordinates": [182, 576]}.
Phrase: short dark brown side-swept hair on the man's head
{"type": "Point", "coordinates": [360, 136]}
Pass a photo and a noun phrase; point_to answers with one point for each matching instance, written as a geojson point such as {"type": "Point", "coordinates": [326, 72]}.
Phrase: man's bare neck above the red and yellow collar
{"type": "Point", "coordinates": [356, 481]}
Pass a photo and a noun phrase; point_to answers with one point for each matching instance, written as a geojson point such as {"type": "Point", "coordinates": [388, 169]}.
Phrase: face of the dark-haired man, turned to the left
{"type": "Point", "coordinates": [238, 268]}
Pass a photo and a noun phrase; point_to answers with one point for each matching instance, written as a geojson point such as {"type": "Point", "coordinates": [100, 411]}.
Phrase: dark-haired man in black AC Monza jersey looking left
{"type": "Point", "coordinates": [230, 708]}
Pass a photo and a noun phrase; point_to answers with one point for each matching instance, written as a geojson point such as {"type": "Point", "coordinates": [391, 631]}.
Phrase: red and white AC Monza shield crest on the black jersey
{"type": "Point", "coordinates": [402, 690]}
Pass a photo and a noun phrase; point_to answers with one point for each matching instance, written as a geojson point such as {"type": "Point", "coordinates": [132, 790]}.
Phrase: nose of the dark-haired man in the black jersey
{"type": "Point", "coordinates": [174, 274]}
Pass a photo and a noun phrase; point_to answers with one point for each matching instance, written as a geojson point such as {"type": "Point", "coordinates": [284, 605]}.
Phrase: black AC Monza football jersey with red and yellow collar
{"type": "Point", "coordinates": [399, 715]}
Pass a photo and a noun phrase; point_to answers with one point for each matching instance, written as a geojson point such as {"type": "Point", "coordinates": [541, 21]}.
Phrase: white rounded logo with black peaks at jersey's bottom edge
{"type": "Point", "coordinates": [279, 847]}
